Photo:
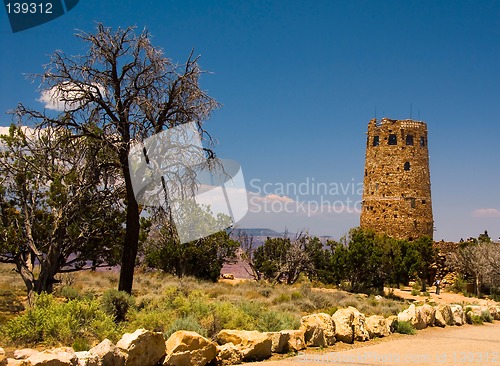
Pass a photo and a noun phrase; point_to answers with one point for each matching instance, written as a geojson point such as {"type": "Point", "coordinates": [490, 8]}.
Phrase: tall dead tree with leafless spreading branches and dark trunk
{"type": "Point", "coordinates": [122, 90]}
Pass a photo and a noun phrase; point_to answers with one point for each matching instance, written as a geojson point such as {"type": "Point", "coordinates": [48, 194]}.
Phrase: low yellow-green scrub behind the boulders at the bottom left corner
{"type": "Point", "coordinates": [51, 322]}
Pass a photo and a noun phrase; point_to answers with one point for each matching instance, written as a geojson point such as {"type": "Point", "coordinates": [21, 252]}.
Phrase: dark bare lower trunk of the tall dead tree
{"type": "Point", "coordinates": [131, 244]}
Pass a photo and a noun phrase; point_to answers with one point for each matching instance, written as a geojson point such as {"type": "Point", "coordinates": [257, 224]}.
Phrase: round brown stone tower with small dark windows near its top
{"type": "Point", "coordinates": [397, 186]}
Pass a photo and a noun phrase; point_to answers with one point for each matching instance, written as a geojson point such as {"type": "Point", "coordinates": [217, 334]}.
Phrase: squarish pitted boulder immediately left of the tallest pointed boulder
{"type": "Point", "coordinates": [319, 330]}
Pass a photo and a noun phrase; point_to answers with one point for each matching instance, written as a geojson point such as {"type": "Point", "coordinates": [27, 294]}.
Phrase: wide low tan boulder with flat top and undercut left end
{"type": "Point", "coordinates": [253, 345]}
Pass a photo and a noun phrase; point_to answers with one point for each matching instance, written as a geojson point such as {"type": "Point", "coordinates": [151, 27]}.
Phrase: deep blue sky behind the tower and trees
{"type": "Point", "coordinates": [299, 81]}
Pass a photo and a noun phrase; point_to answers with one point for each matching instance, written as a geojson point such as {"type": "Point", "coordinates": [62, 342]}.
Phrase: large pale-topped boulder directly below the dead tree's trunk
{"type": "Point", "coordinates": [142, 348]}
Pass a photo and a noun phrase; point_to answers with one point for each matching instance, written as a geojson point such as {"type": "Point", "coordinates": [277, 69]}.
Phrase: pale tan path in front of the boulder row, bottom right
{"type": "Point", "coordinates": [467, 345]}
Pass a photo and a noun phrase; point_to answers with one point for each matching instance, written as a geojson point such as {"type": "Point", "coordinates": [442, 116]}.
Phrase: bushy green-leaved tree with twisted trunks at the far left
{"type": "Point", "coordinates": [57, 205]}
